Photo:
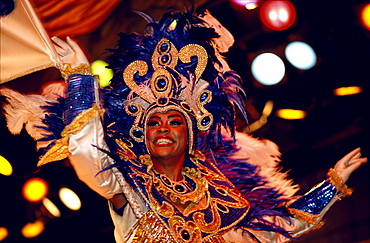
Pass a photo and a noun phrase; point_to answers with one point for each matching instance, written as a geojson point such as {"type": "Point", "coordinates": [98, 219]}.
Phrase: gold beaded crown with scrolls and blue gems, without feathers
{"type": "Point", "coordinates": [164, 92]}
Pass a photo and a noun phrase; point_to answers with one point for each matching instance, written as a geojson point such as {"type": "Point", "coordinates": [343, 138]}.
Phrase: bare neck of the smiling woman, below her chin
{"type": "Point", "coordinates": [172, 169]}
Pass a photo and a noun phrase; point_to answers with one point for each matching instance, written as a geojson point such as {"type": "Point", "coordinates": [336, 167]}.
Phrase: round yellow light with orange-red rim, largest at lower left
{"type": "Point", "coordinates": [35, 189]}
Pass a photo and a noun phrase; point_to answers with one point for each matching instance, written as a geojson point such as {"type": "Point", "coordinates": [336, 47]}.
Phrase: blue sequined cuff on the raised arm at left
{"type": "Point", "coordinates": [80, 96]}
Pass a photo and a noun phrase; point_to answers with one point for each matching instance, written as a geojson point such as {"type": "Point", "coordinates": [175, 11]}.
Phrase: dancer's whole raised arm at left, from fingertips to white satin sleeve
{"type": "Point", "coordinates": [82, 117]}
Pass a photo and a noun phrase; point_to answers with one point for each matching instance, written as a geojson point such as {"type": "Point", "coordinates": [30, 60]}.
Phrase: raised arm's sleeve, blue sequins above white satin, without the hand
{"type": "Point", "coordinates": [85, 146]}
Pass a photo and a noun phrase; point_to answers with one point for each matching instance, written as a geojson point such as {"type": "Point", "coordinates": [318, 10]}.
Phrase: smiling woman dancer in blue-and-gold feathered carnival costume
{"type": "Point", "coordinates": [165, 155]}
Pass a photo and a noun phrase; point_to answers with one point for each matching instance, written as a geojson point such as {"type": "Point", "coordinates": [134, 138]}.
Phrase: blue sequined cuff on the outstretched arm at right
{"type": "Point", "coordinates": [317, 199]}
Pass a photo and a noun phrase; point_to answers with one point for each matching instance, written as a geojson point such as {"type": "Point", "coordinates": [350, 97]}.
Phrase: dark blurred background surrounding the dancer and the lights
{"type": "Point", "coordinates": [333, 126]}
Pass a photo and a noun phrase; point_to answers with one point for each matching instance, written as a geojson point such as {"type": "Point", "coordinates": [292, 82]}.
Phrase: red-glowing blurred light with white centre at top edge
{"type": "Point", "coordinates": [278, 15]}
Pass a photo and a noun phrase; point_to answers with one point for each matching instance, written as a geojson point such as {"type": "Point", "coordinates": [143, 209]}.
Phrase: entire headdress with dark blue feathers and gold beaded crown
{"type": "Point", "coordinates": [174, 65]}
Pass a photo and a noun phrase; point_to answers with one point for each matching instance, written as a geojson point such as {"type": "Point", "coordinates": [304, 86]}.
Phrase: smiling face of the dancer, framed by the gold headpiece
{"type": "Point", "coordinates": [167, 135]}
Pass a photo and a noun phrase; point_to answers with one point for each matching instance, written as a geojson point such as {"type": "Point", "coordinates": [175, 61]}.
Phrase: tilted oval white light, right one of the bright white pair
{"type": "Point", "coordinates": [300, 55]}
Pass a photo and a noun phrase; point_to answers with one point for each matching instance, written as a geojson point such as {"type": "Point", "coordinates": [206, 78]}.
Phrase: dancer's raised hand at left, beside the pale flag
{"type": "Point", "coordinates": [69, 52]}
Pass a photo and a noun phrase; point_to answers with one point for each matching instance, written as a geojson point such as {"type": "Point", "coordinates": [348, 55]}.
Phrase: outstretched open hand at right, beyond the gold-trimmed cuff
{"type": "Point", "coordinates": [349, 163]}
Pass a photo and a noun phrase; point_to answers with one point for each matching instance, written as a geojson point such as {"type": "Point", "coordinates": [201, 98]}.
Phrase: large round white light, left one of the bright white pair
{"type": "Point", "coordinates": [268, 69]}
